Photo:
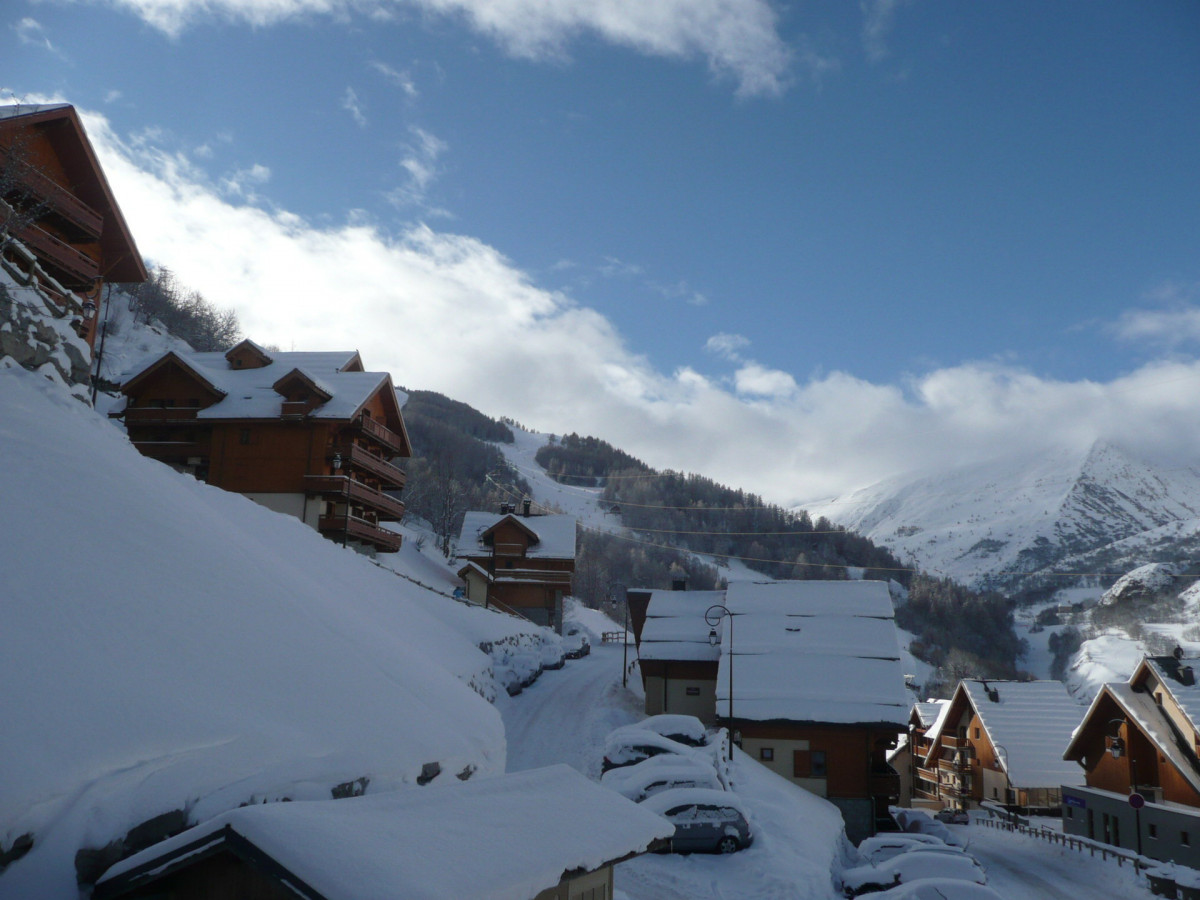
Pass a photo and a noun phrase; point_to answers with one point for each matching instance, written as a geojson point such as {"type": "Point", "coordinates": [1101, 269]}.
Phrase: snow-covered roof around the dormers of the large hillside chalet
{"type": "Point", "coordinates": [250, 393]}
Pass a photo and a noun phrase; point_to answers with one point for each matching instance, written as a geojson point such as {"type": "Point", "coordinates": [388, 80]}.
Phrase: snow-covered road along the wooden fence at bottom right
{"type": "Point", "coordinates": [1022, 867]}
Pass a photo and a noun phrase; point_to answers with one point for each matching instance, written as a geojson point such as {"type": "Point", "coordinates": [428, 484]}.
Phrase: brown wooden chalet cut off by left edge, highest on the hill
{"type": "Point", "coordinates": [61, 227]}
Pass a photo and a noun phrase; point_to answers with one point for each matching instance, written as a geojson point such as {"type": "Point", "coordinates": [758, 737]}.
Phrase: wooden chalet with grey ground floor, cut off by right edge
{"type": "Point", "coordinates": [1141, 740]}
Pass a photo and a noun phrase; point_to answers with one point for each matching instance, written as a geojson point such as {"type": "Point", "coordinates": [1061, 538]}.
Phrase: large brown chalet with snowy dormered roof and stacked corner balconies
{"type": "Point", "coordinates": [311, 435]}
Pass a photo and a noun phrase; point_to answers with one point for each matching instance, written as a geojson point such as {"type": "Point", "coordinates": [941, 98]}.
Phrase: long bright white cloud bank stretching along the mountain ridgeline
{"type": "Point", "coordinates": [447, 313]}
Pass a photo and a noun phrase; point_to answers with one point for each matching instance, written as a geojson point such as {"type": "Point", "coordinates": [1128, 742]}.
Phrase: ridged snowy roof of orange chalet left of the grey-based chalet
{"type": "Point", "coordinates": [1030, 724]}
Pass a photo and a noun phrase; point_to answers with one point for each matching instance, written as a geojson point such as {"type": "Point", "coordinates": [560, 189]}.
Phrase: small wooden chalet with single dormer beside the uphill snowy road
{"type": "Point", "coordinates": [519, 562]}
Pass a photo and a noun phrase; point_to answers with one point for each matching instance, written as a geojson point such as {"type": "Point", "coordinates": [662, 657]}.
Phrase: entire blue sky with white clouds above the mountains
{"type": "Point", "coordinates": [797, 248]}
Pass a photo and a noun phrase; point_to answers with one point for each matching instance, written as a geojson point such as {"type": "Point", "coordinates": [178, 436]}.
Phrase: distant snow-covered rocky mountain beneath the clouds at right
{"type": "Point", "coordinates": [998, 523]}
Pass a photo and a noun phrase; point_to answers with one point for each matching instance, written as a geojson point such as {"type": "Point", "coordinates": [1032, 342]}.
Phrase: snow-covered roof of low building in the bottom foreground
{"type": "Point", "coordinates": [442, 843]}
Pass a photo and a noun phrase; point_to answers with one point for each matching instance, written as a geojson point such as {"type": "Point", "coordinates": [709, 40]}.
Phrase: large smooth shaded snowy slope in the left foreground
{"type": "Point", "coordinates": [172, 646]}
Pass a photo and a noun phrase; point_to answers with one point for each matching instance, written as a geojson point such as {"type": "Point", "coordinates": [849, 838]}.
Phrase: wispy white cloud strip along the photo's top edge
{"type": "Point", "coordinates": [739, 39]}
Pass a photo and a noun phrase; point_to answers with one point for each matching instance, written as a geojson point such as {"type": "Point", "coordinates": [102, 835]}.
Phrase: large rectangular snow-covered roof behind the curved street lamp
{"type": "Point", "coordinates": [813, 651]}
